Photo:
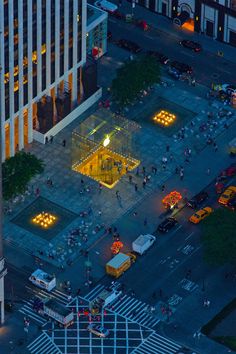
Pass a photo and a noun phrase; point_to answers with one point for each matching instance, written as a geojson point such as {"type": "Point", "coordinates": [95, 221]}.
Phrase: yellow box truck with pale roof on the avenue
{"type": "Point", "coordinates": [118, 265]}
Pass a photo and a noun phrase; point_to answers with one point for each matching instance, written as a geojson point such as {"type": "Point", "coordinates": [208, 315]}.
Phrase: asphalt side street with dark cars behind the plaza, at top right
{"type": "Point", "coordinates": [207, 67]}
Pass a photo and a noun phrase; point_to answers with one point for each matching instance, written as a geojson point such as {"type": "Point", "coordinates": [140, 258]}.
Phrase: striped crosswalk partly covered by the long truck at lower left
{"type": "Point", "coordinates": [27, 308]}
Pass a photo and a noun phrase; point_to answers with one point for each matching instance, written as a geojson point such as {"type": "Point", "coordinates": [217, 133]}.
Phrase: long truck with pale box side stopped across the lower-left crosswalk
{"type": "Point", "coordinates": [51, 309]}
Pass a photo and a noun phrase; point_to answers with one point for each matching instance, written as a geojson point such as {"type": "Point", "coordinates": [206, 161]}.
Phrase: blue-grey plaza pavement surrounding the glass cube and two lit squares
{"type": "Point", "coordinates": [67, 191]}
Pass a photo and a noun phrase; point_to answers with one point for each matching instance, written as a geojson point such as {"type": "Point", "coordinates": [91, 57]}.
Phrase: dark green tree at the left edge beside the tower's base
{"type": "Point", "coordinates": [17, 172]}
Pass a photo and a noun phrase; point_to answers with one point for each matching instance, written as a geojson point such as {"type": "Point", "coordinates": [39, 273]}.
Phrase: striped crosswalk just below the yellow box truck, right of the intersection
{"type": "Point", "coordinates": [128, 307]}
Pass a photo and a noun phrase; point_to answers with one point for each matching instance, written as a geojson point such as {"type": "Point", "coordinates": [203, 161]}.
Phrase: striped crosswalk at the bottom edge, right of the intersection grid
{"type": "Point", "coordinates": [156, 344]}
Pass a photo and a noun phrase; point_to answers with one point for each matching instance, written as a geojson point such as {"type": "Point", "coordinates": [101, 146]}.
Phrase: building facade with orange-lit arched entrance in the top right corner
{"type": "Point", "coordinates": [216, 19]}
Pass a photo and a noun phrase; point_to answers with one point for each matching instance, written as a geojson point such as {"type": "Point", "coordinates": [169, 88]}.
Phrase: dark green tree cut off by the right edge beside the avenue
{"type": "Point", "coordinates": [219, 237]}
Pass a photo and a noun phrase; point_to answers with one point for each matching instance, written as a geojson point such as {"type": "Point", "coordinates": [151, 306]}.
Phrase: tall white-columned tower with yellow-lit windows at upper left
{"type": "Point", "coordinates": [45, 81]}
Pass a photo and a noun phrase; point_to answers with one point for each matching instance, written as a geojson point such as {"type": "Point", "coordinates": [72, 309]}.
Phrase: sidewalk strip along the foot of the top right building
{"type": "Point", "coordinates": [165, 25]}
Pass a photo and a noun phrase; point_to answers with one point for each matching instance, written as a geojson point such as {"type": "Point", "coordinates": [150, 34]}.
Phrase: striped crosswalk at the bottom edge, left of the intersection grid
{"type": "Point", "coordinates": [43, 344]}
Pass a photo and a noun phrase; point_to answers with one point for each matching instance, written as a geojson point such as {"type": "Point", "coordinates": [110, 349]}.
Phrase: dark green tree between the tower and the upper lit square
{"type": "Point", "coordinates": [134, 76]}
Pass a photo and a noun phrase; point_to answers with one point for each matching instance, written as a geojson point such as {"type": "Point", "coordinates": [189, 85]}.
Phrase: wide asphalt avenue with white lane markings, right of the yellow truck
{"type": "Point", "coordinates": [165, 265]}
